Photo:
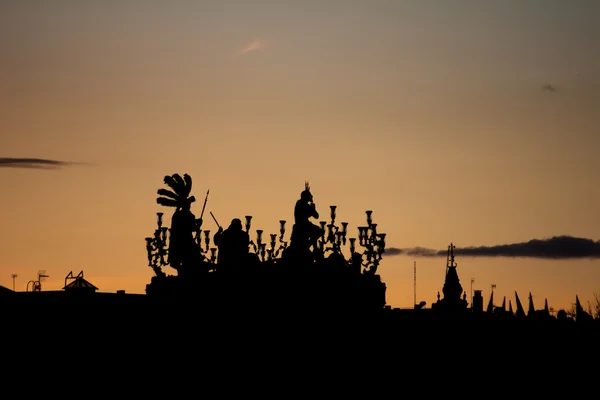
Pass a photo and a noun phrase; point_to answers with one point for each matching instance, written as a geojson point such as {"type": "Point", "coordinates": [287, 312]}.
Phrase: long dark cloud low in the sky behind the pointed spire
{"type": "Point", "coordinates": [557, 247]}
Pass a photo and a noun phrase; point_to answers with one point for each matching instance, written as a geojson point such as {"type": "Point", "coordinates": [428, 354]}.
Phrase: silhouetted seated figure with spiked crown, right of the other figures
{"type": "Point", "coordinates": [304, 233]}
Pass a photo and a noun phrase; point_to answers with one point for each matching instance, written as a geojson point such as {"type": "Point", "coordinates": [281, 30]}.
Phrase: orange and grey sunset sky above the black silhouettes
{"type": "Point", "coordinates": [472, 122]}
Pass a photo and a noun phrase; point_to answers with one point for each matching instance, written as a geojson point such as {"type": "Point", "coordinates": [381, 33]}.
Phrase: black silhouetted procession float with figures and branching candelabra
{"type": "Point", "coordinates": [310, 273]}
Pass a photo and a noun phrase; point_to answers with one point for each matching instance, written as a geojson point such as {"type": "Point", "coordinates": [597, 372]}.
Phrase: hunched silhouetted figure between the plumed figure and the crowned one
{"type": "Point", "coordinates": [233, 244]}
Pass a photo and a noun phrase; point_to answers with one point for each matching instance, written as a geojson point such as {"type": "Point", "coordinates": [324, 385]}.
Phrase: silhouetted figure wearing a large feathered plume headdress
{"type": "Point", "coordinates": [184, 251]}
